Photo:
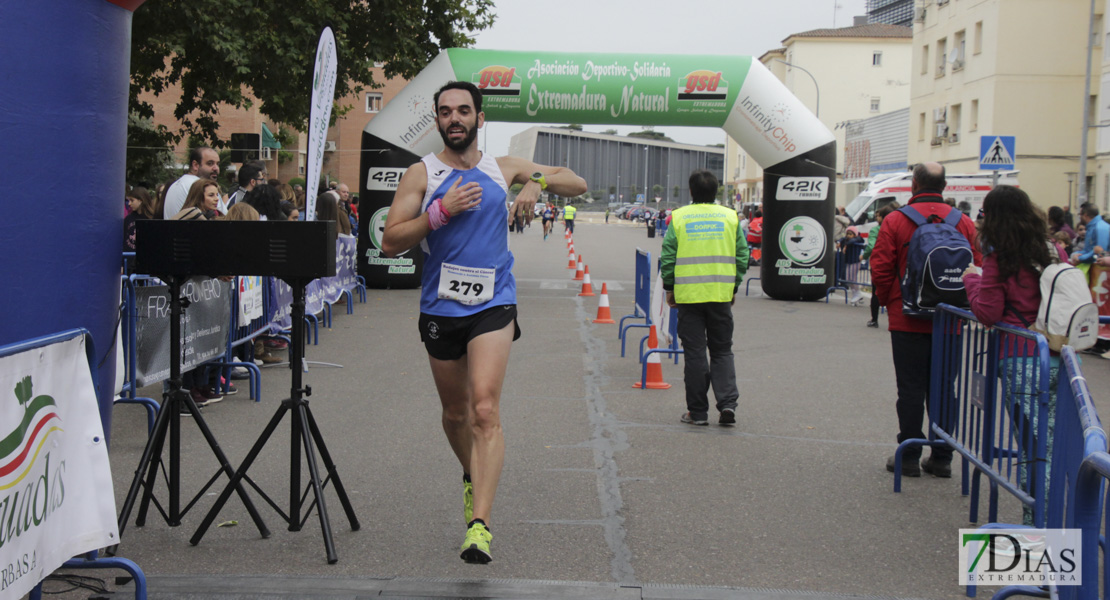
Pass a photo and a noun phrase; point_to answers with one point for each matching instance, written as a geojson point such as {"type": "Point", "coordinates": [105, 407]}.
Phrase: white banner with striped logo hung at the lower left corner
{"type": "Point", "coordinates": [56, 484]}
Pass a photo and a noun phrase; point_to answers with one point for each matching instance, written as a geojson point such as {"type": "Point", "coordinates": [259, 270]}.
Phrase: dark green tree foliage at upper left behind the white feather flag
{"type": "Point", "coordinates": [220, 52]}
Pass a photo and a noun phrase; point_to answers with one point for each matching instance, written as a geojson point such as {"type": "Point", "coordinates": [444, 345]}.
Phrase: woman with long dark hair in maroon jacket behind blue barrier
{"type": "Point", "coordinates": [1016, 247]}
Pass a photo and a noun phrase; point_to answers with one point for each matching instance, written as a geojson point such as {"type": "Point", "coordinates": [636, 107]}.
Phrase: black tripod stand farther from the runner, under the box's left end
{"type": "Point", "coordinates": [169, 422]}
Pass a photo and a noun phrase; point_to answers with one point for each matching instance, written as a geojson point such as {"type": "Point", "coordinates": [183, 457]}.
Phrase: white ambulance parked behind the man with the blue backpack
{"type": "Point", "coordinates": [968, 192]}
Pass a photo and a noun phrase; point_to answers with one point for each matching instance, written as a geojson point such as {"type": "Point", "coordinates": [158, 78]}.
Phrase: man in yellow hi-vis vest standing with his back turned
{"type": "Point", "coordinates": [704, 260]}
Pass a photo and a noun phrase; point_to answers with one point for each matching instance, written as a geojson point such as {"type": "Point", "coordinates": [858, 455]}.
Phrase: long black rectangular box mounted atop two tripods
{"type": "Point", "coordinates": [277, 249]}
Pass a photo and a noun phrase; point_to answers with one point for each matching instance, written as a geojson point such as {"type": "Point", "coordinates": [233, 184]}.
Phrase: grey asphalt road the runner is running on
{"type": "Point", "coordinates": [604, 493]}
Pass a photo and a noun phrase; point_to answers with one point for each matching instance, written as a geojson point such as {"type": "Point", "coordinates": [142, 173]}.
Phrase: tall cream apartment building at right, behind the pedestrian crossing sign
{"type": "Point", "coordinates": [988, 68]}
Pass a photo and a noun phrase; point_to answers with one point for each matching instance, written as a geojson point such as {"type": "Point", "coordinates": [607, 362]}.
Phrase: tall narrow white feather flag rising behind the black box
{"type": "Point", "coordinates": [320, 115]}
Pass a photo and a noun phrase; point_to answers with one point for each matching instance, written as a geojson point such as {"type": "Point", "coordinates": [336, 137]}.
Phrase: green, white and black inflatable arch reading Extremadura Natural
{"type": "Point", "coordinates": [735, 94]}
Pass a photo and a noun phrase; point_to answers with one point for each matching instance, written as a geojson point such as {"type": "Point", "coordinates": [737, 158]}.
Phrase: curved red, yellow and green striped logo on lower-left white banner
{"type": "Point", "coordinates": [21, 449]}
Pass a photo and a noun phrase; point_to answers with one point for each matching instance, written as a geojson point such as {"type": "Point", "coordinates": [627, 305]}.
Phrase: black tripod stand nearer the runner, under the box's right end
{"type": "Point", "coordinates": [305, 432]}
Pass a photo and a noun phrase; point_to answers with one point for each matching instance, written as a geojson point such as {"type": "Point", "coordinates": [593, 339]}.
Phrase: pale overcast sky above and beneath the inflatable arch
{"type": "Point", "coordinates": [680, 27]}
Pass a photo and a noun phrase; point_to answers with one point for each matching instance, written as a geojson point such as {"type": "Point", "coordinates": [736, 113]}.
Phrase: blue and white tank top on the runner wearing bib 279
{"type": "Point", "coordinates": [468, 266]}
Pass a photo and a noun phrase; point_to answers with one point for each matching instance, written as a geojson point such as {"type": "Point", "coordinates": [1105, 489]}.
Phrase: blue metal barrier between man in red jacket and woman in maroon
{"type": "Point", "coordinates": [990, 402]}
